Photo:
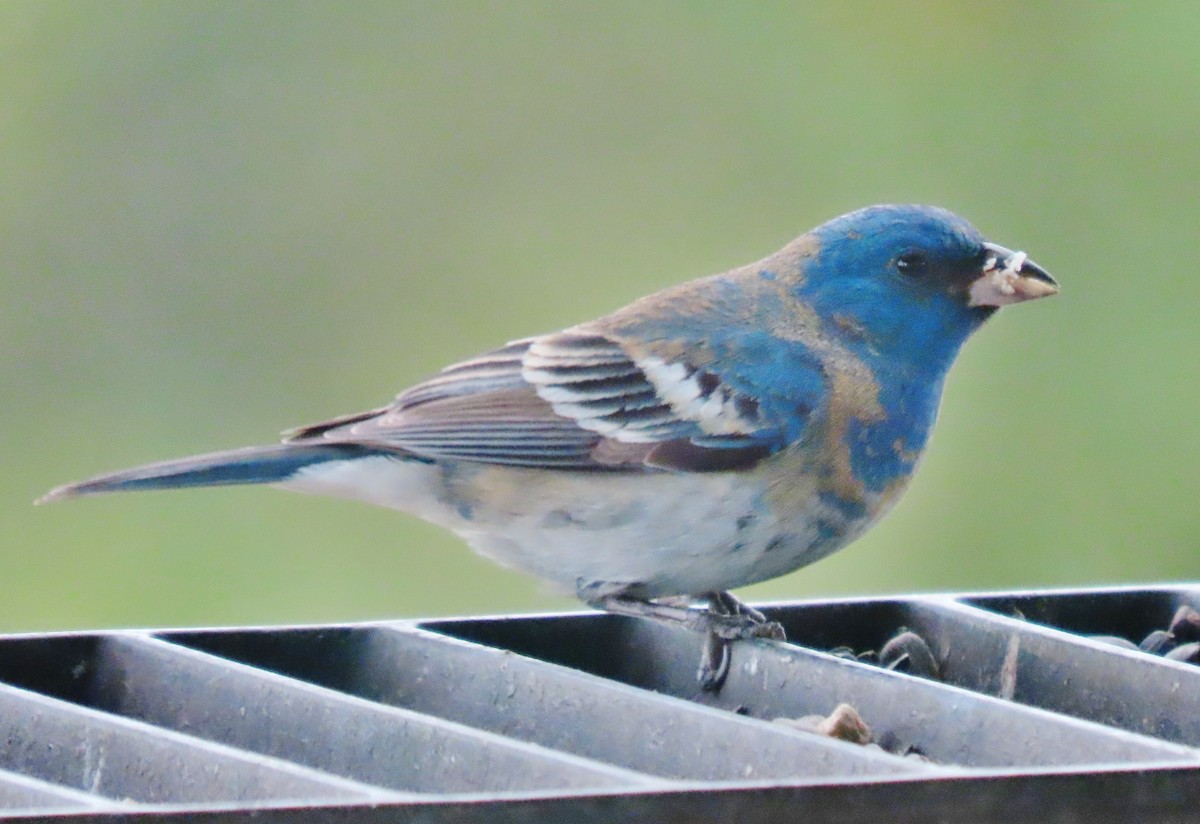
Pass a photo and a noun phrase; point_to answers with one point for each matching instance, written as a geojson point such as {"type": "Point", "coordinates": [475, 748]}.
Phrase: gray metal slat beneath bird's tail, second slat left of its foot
{"type": "Point", "coordinates": [215, 699]}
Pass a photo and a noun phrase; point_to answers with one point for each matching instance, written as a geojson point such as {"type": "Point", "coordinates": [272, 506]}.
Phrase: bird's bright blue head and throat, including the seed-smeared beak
{"type": "Point", "coordinates": [903, 287]}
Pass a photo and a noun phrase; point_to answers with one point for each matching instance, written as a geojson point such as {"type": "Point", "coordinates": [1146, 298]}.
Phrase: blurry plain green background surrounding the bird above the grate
{"type": "Point", "coordinates": [223, 219]}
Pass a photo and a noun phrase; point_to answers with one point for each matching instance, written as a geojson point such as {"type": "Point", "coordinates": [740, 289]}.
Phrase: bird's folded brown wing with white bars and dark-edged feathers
{"type": "Point", "coordinates": [566, 401]}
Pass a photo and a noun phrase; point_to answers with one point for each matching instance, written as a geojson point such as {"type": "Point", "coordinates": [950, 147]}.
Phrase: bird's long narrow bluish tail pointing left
{"type": "Point", "coordinates": [254, 465]}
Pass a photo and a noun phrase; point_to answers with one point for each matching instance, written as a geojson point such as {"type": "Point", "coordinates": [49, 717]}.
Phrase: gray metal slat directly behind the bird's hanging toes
{"type": "Point", "coordinates": [770, 681]}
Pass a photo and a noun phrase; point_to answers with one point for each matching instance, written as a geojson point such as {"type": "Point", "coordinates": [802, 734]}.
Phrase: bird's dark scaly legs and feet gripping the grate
{"type": "Point", "coordinates": [725, 619]}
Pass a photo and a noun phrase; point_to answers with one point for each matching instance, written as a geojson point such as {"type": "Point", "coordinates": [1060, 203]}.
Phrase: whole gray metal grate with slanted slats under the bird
{"type": "Point", "coordinates": [598, 718]}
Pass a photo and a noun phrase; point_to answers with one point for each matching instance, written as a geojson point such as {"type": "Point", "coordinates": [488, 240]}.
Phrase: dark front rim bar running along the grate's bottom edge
{"type": "Point", "coordinates": [1163, 796]}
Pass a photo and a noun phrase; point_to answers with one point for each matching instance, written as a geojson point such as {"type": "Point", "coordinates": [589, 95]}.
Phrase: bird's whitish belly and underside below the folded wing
{"type": "Point", "coordinates": [649, 536]}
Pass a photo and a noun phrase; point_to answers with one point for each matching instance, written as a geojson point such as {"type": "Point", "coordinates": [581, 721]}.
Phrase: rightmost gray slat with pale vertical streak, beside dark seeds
{"type": "Point", "coordinates": [1053, 669]}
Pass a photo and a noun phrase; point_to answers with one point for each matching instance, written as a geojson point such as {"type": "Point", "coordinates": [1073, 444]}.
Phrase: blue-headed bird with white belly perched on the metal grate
{"type": "Point", "coordinates": [715, 435]}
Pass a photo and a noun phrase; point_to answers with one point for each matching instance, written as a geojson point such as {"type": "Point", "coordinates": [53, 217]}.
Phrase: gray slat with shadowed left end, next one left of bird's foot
{"type": "Point", "coordinates": [550, 706]}
